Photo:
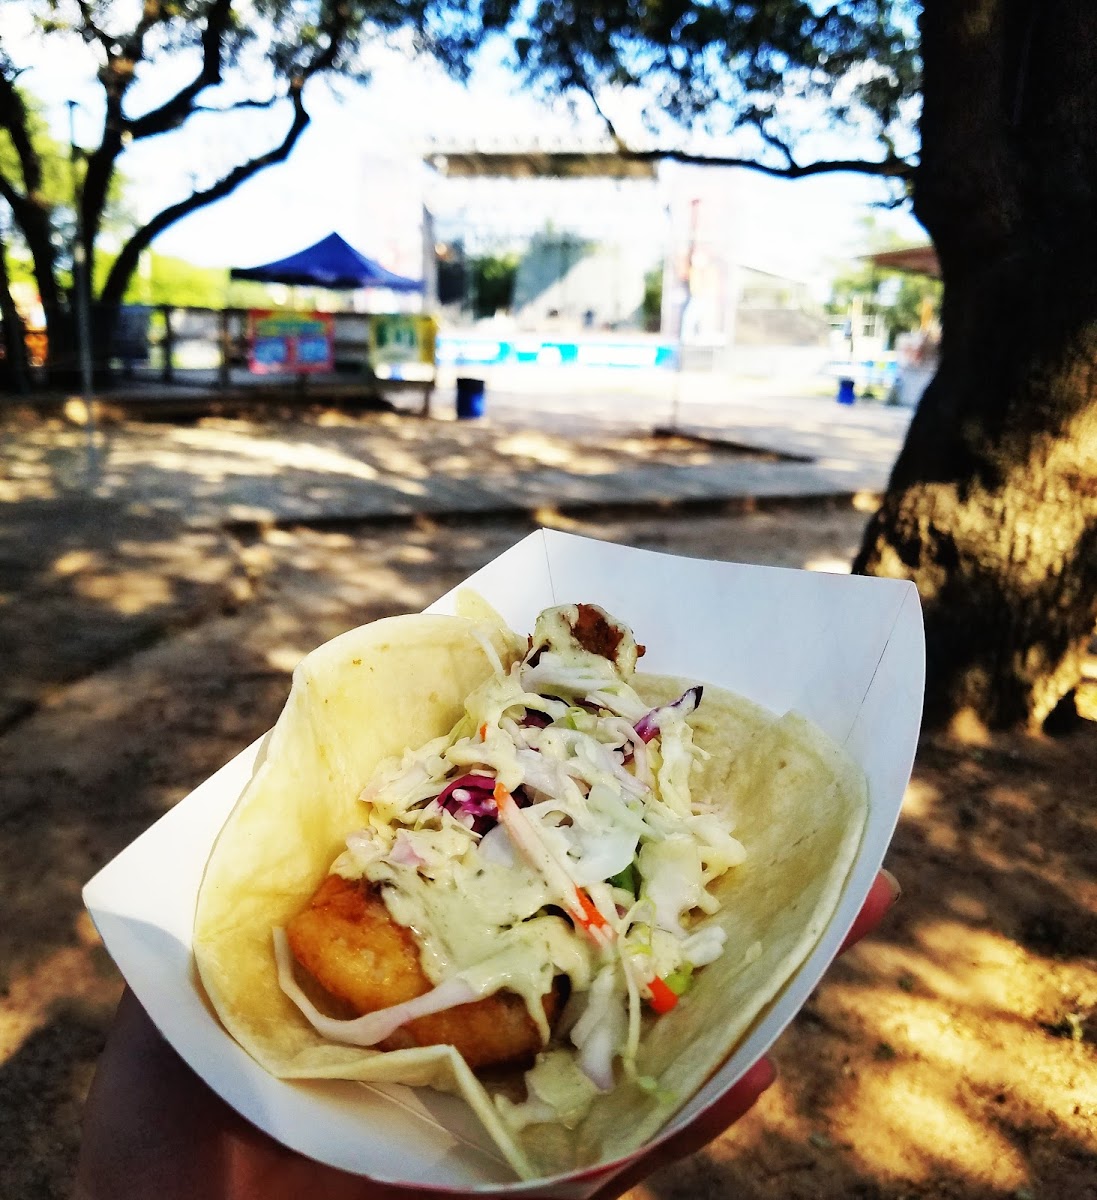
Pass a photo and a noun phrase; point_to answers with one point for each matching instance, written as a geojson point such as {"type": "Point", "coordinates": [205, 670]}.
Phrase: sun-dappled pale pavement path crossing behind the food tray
{"type": "Point", "coordinates": [794, 448]}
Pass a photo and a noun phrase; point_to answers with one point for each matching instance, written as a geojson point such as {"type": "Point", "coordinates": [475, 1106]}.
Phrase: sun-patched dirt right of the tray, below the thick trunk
{"type": "Point", "coordinates": [952, 1055]}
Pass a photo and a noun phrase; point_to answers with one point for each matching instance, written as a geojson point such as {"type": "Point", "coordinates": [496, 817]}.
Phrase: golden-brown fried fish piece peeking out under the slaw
{"type": "Point", "coordinates": [363, 961]}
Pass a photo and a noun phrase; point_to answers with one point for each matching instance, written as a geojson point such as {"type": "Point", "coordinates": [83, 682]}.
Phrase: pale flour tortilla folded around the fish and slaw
{"type": "Point", "coordinates": [800, 806]}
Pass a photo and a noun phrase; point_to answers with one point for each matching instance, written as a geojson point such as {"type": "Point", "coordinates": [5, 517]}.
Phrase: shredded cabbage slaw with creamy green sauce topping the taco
{"type": "Point", "coordinates": [559, 791]}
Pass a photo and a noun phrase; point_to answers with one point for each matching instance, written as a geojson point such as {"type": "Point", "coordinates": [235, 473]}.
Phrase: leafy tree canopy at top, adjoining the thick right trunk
{"type": "Point", "coordinates": [774, 77]}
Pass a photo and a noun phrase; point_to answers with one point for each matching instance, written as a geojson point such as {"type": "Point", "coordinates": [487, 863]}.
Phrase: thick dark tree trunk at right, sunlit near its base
{"type": "Point", "coordinates": [992, 508]}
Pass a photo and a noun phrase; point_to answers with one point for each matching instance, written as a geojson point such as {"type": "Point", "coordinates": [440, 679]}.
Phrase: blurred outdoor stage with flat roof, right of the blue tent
{"type": "Point", "coordinates": [608, 245]}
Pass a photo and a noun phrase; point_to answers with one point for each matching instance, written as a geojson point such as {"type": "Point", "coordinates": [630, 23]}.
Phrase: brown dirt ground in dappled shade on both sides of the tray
{"type": "Point", "coordinates": [950, 1057]}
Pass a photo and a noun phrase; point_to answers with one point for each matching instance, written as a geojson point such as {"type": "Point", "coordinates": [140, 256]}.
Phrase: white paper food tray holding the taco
{"type": "Point", "coordinates": [844, 651]}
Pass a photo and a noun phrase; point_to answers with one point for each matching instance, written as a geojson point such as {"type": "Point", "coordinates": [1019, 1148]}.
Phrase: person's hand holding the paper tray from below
{"type": "Point", "coordinates": [153, 1129]}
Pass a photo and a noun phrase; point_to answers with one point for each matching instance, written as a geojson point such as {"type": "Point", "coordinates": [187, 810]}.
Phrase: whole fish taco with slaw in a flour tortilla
{"type": "Point", "coordinates": [521, 871]}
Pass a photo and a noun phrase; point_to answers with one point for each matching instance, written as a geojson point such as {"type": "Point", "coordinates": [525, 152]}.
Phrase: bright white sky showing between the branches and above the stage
{"type": "Point", "coordinates": [357, 169]}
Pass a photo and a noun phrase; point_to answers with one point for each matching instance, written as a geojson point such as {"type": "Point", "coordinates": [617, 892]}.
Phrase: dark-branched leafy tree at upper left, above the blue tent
{"type": "Point", "coordinates": [238, 56]}
